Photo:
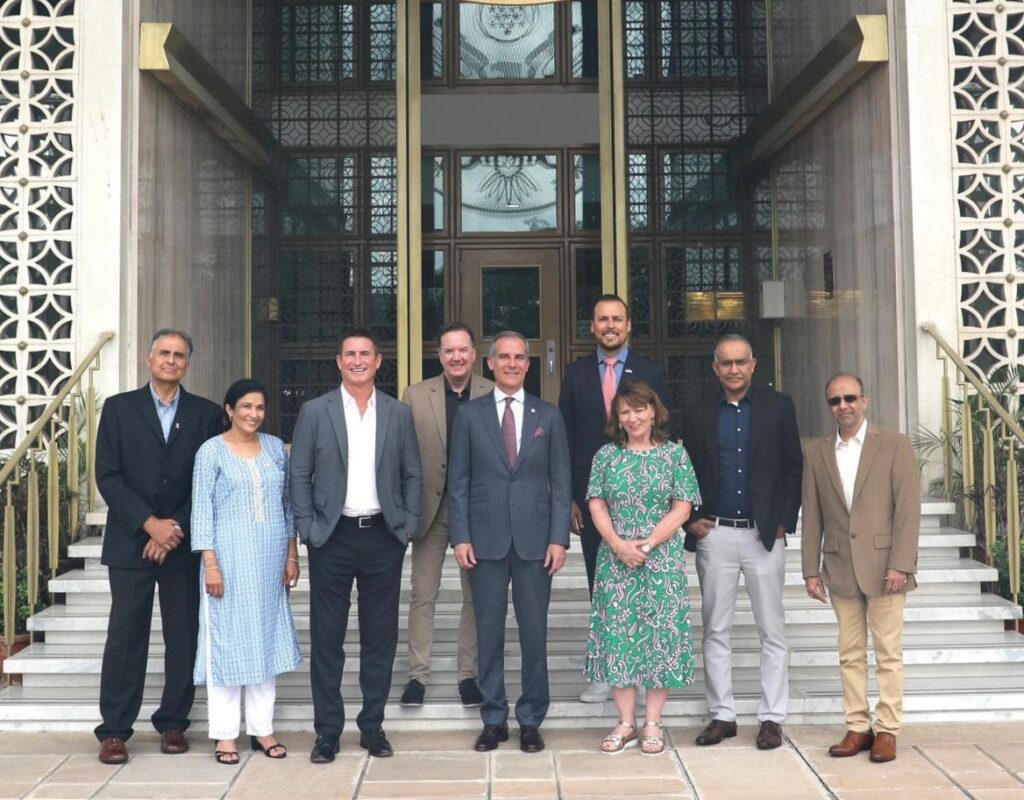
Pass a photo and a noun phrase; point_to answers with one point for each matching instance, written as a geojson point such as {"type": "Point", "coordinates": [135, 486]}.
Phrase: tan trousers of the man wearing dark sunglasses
{"type": "Point", "coordinates": [885, 616]}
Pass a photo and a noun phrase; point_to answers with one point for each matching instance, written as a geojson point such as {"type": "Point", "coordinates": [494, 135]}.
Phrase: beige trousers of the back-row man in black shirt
{"type": "Point", "coordinates": [429, 559]}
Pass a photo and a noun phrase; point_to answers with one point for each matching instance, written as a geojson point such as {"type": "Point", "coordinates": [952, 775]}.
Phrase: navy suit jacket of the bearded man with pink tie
{"type": "Point", "coordinates": [582, 406]}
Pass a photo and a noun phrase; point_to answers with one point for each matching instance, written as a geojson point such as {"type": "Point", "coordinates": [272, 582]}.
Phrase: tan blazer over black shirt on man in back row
{"type": "Point", "coordinates": [426, 401]}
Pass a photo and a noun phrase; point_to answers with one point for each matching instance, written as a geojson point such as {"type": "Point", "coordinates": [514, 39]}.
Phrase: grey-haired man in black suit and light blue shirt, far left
{"type": "Point", "coordinates": [146, 448]}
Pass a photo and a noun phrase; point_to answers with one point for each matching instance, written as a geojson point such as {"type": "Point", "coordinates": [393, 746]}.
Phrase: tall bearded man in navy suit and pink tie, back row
{"type": "Point", "coordinates": [586, 403]}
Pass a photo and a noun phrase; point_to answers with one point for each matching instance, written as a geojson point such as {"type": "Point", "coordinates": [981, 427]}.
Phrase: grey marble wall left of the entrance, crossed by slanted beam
{"type": "Point", "coordinates": [193, 236]}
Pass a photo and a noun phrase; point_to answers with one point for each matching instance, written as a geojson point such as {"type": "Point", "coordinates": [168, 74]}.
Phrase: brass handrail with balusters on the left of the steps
{"type": "Point", "coordinates": [46, 451]}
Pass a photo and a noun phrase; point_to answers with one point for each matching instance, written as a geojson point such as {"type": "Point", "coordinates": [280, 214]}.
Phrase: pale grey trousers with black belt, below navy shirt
{"type": "Point", "coordinates": [722, 557]}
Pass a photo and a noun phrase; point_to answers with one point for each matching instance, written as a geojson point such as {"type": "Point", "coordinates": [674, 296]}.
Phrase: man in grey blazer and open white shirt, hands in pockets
{"type": "Point", "coordinates": [356, 492]}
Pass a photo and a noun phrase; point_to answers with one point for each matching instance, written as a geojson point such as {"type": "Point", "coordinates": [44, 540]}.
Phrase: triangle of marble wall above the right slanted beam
{"type": "Point", "coordinates": [800, 28]}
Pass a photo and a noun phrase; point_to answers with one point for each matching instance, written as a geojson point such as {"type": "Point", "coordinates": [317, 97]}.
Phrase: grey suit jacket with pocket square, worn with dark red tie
{"type": "Point", "coordinates": [497, 507]}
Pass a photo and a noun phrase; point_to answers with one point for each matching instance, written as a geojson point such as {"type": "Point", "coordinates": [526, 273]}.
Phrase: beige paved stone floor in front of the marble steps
{"type": "Point", "coordinates": [962, 761]}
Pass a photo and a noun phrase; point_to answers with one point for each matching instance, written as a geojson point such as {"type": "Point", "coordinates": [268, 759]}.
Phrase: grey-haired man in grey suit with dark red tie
{"type": "Point", "coordinates": [509, 494]}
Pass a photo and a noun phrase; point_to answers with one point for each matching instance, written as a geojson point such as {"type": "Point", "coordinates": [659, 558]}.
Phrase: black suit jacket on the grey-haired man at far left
{"type": "Point", "coordinates": [140, 475]}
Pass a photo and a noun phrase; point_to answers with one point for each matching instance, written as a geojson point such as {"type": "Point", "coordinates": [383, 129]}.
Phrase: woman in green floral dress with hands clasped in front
{"type": "Point", "coordinates": [643, 489]}
